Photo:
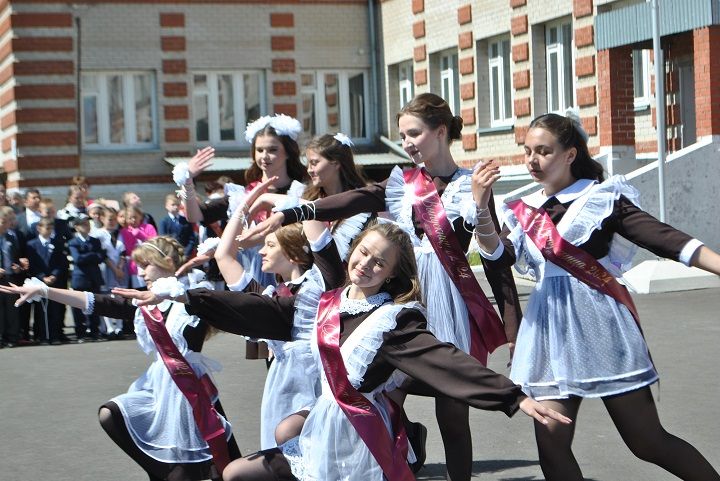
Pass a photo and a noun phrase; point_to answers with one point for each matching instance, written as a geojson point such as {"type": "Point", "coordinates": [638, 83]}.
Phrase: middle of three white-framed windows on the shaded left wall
{"type": "Point", "coordinates": [223, 104]}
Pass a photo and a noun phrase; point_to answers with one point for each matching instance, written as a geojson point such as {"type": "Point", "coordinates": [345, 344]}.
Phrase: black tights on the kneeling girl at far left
{"type": "Point", "coordinates": [112, 421]}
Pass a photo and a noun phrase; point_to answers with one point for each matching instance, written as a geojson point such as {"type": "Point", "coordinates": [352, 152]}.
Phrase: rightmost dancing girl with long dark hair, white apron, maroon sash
{"type": "Point", "coordinates": [580, 336]}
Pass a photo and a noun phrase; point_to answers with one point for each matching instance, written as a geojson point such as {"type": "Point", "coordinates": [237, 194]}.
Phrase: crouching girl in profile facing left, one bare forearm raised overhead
{"type": "Point", "coordinates": [293, 382]}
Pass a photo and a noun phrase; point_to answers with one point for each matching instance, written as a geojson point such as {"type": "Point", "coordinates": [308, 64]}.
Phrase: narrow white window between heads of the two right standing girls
{"type": "Point", "coordinates": [500, 83]}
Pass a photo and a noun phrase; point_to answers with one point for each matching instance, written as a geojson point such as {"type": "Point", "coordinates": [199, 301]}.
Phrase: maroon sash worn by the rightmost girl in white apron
{"type": "Point", "coordinates": [540, 228]}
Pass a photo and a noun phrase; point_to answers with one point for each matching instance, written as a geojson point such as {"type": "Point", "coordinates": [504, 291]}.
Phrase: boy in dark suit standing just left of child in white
{"type": "Point", "coordinates": [87, 254]}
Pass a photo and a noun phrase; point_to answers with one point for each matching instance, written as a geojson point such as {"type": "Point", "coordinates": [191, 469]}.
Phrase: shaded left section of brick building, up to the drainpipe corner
{"type": "Point", "coordinates": [110, 89]}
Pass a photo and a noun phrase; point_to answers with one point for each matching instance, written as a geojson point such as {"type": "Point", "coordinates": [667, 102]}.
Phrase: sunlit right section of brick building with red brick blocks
{"type": "Point", "coordinates": [501, 63]}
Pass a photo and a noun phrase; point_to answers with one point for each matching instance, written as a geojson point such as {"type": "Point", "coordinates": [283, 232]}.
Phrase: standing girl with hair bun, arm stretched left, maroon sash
{"type": "Point", "coordinates": [427, 127]}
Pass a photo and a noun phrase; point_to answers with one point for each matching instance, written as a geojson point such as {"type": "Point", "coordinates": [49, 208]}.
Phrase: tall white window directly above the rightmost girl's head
{"type": "Point", "coordinates": [560, 66]}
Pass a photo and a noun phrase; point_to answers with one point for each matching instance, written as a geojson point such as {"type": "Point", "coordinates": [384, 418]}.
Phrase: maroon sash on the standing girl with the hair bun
{"type": "Point", "coordinates": [486, 329]}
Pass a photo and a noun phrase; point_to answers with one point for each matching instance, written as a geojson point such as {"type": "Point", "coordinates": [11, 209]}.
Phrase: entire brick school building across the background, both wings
{"type": "Point", "coordinates": [111, 89]}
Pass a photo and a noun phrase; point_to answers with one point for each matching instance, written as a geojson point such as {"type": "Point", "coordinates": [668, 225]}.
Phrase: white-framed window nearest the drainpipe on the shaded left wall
{"type": "Point", "coordinates": [334, 102]}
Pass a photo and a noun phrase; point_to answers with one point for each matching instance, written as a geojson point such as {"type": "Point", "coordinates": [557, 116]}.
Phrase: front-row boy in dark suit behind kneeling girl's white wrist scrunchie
{"type": "Point", "coordinates": [48, 262]}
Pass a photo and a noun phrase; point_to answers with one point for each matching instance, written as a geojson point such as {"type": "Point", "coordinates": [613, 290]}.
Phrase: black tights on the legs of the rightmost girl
{"type": "Point", "coordinates": [635, 417]}
